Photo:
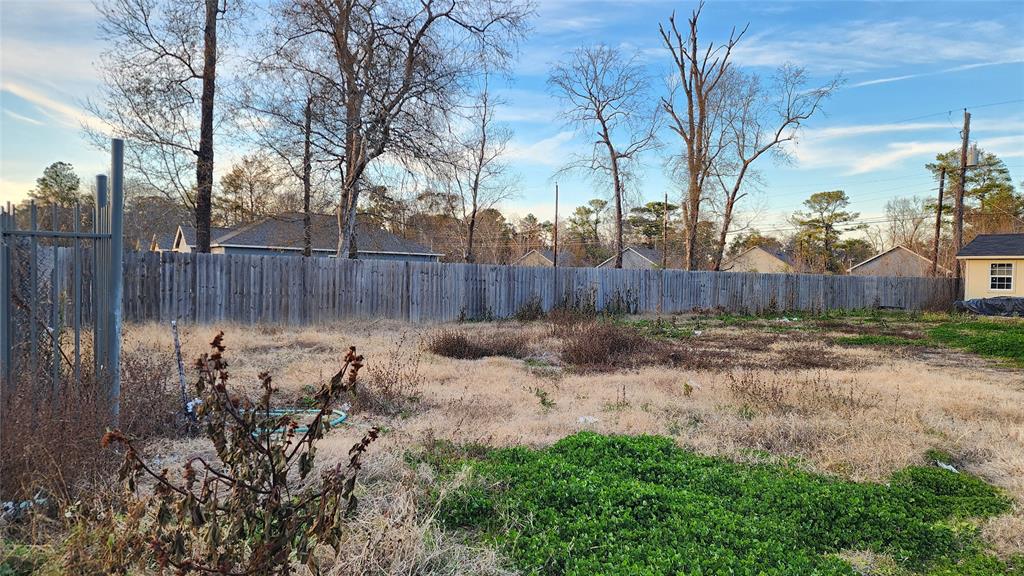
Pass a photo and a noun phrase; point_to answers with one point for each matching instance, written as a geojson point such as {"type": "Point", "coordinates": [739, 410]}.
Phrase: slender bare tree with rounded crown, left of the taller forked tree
{"type": "Point", "coordinates": [606, 97]}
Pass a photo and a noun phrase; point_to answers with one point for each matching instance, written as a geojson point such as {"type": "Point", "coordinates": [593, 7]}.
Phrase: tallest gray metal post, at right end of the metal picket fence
{"type": "Point", "coordinates": [117, 272]}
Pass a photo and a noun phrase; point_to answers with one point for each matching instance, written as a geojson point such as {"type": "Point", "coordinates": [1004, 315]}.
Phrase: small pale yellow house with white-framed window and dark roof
{"type": "Point", "coordinates": [994, 266]}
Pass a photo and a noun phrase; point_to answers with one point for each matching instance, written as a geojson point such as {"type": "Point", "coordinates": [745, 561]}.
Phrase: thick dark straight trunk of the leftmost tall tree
{"type": "Point", "coordinates": [204, 164]}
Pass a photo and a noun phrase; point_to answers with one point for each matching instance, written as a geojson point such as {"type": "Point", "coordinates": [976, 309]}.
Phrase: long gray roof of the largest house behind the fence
{"type": "Point", "coordinates": [286, 232]}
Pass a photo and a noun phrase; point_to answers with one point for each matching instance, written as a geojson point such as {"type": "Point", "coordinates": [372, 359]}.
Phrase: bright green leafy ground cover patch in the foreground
{"type": "Point", "coordinates": [615, 505]}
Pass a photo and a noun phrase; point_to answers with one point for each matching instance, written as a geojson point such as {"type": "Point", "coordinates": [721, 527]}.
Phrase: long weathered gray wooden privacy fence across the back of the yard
{"type": "Point", "coordinates": [251, 290]}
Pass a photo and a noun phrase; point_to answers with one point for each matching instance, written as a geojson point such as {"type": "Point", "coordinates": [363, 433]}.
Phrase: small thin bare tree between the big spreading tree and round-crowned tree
{"type": "Point", "coordinates": [475, 169]}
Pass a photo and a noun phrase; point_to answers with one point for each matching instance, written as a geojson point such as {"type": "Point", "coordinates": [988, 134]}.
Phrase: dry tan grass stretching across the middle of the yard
{"type": "Point", "coordinates": [862, 417]}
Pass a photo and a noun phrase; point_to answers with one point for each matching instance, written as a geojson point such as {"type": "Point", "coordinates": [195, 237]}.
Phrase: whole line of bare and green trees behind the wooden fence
{"type": "Point", "coordinates": [387, 109]}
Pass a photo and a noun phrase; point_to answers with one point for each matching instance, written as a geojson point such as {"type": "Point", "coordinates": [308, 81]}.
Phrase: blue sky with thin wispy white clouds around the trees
{"type": "Point", "coordinates": [911, 69]}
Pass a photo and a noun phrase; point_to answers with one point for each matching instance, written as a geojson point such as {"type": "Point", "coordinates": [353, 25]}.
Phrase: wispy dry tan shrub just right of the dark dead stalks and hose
{"type": "Point", "coordinates": [393, 387]}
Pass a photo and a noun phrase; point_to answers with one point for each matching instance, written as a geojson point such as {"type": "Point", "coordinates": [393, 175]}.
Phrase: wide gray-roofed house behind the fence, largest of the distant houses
{"type": "Point", "coordinates": [284, 235]}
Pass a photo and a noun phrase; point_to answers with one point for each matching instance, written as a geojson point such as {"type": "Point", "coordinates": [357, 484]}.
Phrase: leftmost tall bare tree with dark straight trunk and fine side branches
{"type": "Point", "coordinates": [159, 81]}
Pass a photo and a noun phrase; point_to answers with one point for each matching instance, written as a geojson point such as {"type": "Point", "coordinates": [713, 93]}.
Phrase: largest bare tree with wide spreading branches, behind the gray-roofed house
{"type": "Point", "coordinates": [398, 69]}
